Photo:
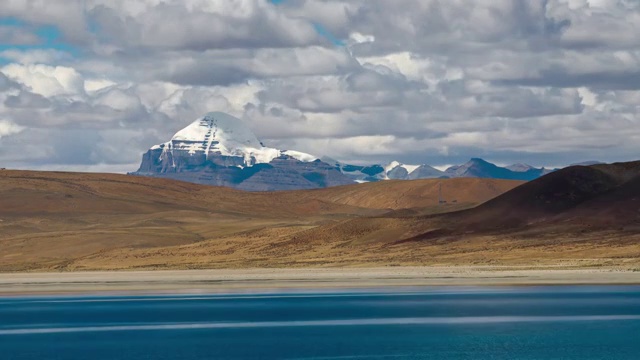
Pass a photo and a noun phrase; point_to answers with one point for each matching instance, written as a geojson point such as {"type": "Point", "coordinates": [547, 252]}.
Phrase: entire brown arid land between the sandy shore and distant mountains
{"type": "Point", "coordinates": [80, 222]}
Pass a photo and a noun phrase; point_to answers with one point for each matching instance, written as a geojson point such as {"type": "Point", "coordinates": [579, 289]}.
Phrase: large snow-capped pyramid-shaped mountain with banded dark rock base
{"type": "Point", "coordinates": [219, 149]}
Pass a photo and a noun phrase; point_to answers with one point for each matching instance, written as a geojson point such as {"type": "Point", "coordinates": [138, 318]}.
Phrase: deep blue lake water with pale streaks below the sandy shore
{"type": "Point", "coordinates": [574, 322]}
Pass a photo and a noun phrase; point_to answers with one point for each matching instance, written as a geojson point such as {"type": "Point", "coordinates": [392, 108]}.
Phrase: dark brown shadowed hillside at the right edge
{"type": "Point", "coordinates": [594, 196]}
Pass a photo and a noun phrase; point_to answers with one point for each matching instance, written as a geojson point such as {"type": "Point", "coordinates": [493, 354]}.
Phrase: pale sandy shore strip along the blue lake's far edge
{"type": "Point", "coordinates": [202, 281]}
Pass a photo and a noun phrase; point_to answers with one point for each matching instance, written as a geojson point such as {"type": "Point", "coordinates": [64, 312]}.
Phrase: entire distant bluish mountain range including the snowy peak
{"type": "Point", "coordinates": [219, 149]}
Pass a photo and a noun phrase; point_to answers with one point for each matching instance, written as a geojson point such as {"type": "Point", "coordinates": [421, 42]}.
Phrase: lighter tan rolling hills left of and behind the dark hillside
{"type": "Point", "coordinates": [55, 220]}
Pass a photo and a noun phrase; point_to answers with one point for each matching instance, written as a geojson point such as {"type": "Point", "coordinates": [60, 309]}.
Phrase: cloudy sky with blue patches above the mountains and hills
{"type": "Point", "coordinates": [91, 85]}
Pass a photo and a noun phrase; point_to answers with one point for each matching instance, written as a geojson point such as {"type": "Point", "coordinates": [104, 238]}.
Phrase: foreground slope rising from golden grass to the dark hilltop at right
{"type": "Point", "coordinates": [580, 216]}
